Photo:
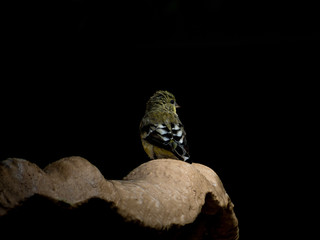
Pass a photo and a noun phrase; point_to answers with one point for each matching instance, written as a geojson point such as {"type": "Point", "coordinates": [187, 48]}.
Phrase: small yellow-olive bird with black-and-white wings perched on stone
{"type": "Point", "coordinates": [161, 131]}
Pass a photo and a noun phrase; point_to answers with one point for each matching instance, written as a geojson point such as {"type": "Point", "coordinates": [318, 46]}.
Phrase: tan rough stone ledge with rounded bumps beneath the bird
{"type": "Point", "coordinates": [160, 195]}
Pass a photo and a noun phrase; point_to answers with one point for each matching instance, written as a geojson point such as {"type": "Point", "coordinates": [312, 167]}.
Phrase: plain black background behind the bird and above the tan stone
{"type": "Point", "coordinates": [78, 75]}
